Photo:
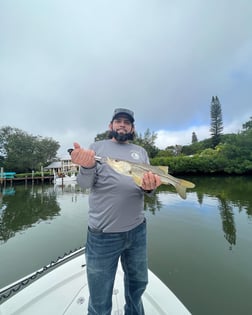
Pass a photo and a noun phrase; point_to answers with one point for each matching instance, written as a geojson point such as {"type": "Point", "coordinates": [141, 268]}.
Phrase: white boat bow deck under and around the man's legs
{"type": "Point", "coordinates": [64, 290]}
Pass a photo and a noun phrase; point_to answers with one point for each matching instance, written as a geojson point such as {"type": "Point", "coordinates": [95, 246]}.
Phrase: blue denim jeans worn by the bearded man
{"type": "Point", "coordinates": [103, 251]}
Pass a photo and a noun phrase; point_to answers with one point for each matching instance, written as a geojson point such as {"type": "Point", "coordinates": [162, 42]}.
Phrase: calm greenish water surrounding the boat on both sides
{"type": "Point", "coordinates": [200, 247]}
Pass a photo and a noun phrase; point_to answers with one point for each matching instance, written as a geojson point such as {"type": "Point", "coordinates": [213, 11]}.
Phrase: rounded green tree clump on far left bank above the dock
{"type": "Point", "coordinates": [22, 152]}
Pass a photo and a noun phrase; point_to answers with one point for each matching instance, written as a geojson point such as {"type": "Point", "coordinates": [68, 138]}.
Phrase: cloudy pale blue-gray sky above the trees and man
{"type": "Point", "coordinates": [65, 65]}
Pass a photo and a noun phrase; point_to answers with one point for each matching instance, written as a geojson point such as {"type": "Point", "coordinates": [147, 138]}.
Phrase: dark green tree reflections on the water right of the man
{"type": "Point", "coordinates": [228, 193]}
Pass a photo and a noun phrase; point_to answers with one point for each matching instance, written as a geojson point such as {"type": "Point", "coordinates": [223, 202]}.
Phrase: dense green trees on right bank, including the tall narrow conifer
{"type": "Point", "coordinates": [219, 154]}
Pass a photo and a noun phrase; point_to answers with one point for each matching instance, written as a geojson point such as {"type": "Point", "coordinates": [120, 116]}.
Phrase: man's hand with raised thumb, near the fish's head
{"type": "Point", "coordinates": [83, 157]}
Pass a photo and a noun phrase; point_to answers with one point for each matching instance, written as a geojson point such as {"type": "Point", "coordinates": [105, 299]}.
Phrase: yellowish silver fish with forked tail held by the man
{"type": "Point", "coordinates": [137, 170]}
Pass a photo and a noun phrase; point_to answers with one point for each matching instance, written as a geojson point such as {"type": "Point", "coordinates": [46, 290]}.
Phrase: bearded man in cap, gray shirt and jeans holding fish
{"type": "Point", "coordinates": [116, 224]}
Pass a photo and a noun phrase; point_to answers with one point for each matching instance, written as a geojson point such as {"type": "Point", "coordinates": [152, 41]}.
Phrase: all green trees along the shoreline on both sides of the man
{"type": "Point", "coordinates": [219, 154]}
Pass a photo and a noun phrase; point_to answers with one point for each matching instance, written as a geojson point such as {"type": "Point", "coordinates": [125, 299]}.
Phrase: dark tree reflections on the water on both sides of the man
{"type": "Point", "coordinates": [22, 207]}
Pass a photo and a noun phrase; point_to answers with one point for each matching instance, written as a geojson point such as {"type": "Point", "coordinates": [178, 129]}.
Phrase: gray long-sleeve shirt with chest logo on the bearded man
{"type": "Point", "coordinates": [116, 203]}
